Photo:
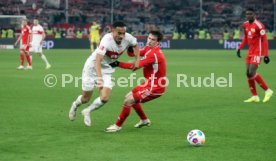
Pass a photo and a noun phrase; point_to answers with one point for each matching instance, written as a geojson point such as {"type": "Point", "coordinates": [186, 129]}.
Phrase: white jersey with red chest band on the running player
{"type": "Point", "coordinates": [111, 50]}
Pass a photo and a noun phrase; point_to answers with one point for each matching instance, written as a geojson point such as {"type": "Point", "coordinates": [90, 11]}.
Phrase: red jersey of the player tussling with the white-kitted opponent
{"type": "Point", "coordinates": [154, 67]}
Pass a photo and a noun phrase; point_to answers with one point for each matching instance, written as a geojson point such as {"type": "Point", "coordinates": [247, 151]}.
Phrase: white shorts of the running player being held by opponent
{"type": "Point", "coordinates": [89, 78]}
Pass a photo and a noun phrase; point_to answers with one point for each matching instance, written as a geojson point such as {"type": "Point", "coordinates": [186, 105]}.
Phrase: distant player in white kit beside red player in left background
{"type": "Point", "coordinates": [38, 35]}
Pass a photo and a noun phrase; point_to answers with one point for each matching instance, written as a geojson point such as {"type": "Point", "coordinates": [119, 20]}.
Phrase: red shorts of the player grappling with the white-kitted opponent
{"type": "Point", "coordinates": [143, 93]}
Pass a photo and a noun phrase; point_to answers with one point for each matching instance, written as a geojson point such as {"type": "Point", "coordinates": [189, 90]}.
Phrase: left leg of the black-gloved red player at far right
{"type": "Point", "coordinates": [251, 72]}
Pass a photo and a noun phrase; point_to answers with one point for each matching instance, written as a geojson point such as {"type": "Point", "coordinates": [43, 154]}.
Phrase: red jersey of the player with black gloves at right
{"type": "Point", "coordinates": [255, 36]}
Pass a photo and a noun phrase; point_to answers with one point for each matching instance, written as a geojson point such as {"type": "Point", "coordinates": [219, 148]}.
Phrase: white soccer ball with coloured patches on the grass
{"type": "Point", "coordinates": [196, 137]}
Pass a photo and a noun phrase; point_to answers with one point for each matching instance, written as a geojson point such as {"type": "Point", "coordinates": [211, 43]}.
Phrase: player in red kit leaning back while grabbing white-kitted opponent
{"type": "Point", "coordinates": [154, 69]}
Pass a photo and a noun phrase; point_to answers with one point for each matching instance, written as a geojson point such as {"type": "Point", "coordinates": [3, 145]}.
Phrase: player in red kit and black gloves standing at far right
{"type": "Point", "coordinates": [255, 36]}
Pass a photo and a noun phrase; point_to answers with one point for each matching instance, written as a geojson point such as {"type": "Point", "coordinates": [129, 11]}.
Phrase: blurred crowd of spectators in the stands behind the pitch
{"type": "Point", "coordinates": [178, 19]}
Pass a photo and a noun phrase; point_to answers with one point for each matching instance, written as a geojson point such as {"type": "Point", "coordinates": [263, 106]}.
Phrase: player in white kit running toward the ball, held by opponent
{"type": "Point", "coordinates": [98, 72]}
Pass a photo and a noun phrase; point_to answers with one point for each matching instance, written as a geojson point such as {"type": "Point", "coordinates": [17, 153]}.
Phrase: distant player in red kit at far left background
{"type": "Point", "coordinates": [25, 44]}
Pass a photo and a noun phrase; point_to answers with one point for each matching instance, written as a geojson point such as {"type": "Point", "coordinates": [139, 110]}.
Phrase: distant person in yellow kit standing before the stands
{"type": "Point", "coordinates": [94, 35]}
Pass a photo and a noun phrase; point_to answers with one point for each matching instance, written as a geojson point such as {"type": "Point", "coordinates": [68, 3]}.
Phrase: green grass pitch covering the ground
{"type": "Point", "coordinates": [34, 122]}
